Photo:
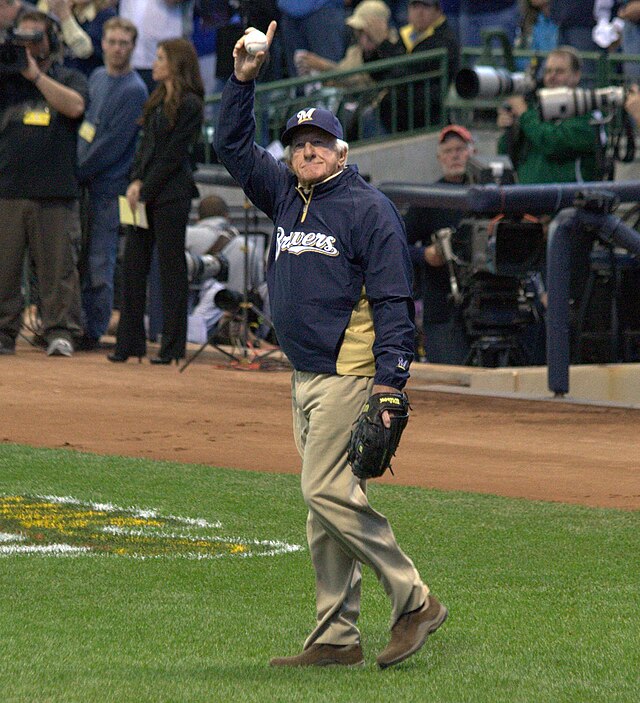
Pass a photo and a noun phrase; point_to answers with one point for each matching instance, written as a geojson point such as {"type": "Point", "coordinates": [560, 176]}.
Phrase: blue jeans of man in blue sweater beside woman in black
{"type": "Point", "coordinates": [97, 282]}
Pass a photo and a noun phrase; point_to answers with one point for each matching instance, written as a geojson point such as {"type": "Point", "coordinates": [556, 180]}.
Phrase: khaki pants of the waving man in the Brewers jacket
{"type": "Point", "coordinates": [343, 530]}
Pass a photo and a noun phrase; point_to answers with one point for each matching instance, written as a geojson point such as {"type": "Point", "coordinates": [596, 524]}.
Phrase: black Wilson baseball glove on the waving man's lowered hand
{"type": "Point", "coordinates": [372, 444]}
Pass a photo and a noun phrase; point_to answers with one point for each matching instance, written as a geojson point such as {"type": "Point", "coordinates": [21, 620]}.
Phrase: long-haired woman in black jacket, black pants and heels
{"type": "Point", "coordinates": [162, 178]}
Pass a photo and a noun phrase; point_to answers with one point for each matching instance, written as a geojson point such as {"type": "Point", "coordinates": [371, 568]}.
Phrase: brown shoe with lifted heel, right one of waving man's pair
{"type": "Point", "coordinates": [411, 631]}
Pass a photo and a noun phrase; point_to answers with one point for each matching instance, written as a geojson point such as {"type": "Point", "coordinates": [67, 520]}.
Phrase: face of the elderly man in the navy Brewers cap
{"type": "Point", "coordinates": [315, 155]}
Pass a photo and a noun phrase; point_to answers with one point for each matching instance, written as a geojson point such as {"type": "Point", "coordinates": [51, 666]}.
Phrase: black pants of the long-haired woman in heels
{"type": "Point", "coordinates": [167, 227]}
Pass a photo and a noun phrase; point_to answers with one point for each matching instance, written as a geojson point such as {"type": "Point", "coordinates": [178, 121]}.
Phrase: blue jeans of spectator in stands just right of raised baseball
{"type": "Point", "coordinates": [322, 32]}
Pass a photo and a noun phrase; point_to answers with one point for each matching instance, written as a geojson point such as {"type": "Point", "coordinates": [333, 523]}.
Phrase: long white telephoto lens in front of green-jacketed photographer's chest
{"type": "Point", "coordinates": [560, 103]}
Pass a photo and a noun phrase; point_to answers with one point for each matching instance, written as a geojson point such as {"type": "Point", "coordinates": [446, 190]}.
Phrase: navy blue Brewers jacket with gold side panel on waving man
{"type": "Point", "coordinates": [339, 272]}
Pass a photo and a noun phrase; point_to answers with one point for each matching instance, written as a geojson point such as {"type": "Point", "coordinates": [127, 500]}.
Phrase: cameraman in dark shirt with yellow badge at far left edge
{"type": "Point", "coordinates": [41, 106]}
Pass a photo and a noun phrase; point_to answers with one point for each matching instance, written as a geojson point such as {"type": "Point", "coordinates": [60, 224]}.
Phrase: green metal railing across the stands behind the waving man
{"type": "Point", "coordinates": [359, 106]}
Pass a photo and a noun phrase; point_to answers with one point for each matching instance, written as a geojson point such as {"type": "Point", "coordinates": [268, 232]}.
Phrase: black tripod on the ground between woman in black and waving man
{"type": "Point", "coordinates": [230, 303]}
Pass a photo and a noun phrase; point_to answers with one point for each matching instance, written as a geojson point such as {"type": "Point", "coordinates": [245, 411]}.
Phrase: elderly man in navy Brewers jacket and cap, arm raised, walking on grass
{"type": "Point", "coordinates": [340, 289]}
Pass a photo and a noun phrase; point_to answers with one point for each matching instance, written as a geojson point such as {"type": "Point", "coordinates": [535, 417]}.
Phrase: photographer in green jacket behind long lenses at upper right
{"type": "Point", "coordinates": [563, 151]}
